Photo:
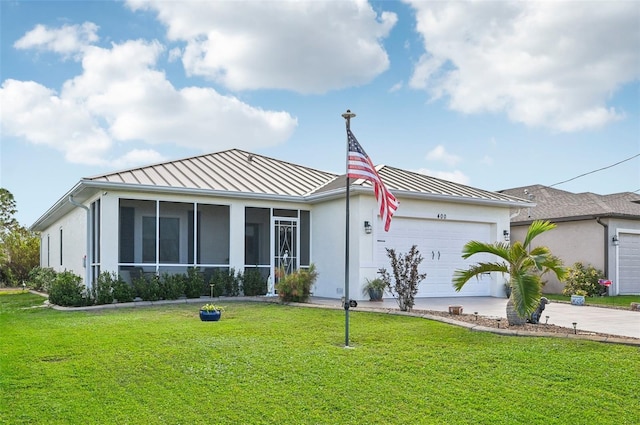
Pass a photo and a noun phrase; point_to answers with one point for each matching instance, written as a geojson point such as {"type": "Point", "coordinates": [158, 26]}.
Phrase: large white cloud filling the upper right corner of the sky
{"type": "Point", "coordinates": [552, 64]}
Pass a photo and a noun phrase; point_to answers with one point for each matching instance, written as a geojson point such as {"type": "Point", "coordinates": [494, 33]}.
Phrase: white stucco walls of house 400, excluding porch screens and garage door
{"type": "Point", "coordinates": [327, 248]}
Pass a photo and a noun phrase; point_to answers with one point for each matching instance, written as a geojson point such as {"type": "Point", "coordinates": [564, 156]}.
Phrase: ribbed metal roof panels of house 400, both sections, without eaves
{"type": "Point", "coordinates": [235, 170]}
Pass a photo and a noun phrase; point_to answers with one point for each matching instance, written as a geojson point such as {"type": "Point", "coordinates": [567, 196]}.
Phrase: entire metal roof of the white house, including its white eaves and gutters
{"type": "Point", "coordinates": [236, 173]}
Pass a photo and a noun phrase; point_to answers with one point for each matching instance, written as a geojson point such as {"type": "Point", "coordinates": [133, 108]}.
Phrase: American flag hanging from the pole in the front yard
{"type": "Point", "coordinates": [360, 167]}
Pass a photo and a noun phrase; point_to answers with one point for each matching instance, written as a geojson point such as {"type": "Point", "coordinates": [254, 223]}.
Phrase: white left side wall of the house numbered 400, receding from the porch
{"type": "Point", "coordinates": [73, 227]}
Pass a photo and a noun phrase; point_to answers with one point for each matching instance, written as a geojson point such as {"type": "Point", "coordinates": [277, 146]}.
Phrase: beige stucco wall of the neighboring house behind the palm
{"type": "Point", "coordinates": [571, 241]}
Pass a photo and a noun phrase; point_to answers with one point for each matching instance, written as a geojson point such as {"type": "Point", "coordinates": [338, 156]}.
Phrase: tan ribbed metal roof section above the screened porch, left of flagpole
{"type": "Point", "coordinates": [228, 171]}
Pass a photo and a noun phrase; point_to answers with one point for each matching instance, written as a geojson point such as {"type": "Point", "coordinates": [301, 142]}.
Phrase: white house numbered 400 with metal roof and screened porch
{"type": "Point", "coordinates": [235, 209]}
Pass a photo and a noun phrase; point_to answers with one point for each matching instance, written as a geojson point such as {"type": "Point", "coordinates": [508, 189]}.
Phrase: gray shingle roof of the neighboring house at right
{"type": "Point", "coordinates": [554, 204]}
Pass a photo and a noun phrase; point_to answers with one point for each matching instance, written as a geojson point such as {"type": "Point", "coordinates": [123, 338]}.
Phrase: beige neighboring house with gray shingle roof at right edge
{"type": "Point", "coordinates": [600, 230]}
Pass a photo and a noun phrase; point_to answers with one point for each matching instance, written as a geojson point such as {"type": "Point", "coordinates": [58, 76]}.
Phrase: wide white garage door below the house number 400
{"type": "Point", "coordinates": [440, 242]}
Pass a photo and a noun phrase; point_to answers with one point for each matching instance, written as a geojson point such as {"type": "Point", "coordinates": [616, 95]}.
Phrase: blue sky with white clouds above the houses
{"type": "Point", "coordinates": [494, 95]}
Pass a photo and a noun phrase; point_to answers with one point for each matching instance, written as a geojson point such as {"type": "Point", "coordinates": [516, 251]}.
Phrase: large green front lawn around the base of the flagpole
{"type": "Point", "coordinates": [275, 364]}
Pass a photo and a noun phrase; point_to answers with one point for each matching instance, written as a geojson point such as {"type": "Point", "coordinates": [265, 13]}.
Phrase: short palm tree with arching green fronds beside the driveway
{"type": "Point", "coordinates": [524, 265]}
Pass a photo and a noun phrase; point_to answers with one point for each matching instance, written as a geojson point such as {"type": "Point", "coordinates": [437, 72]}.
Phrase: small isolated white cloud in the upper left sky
{"type": "Point", "coordinates": [67, 40]}
